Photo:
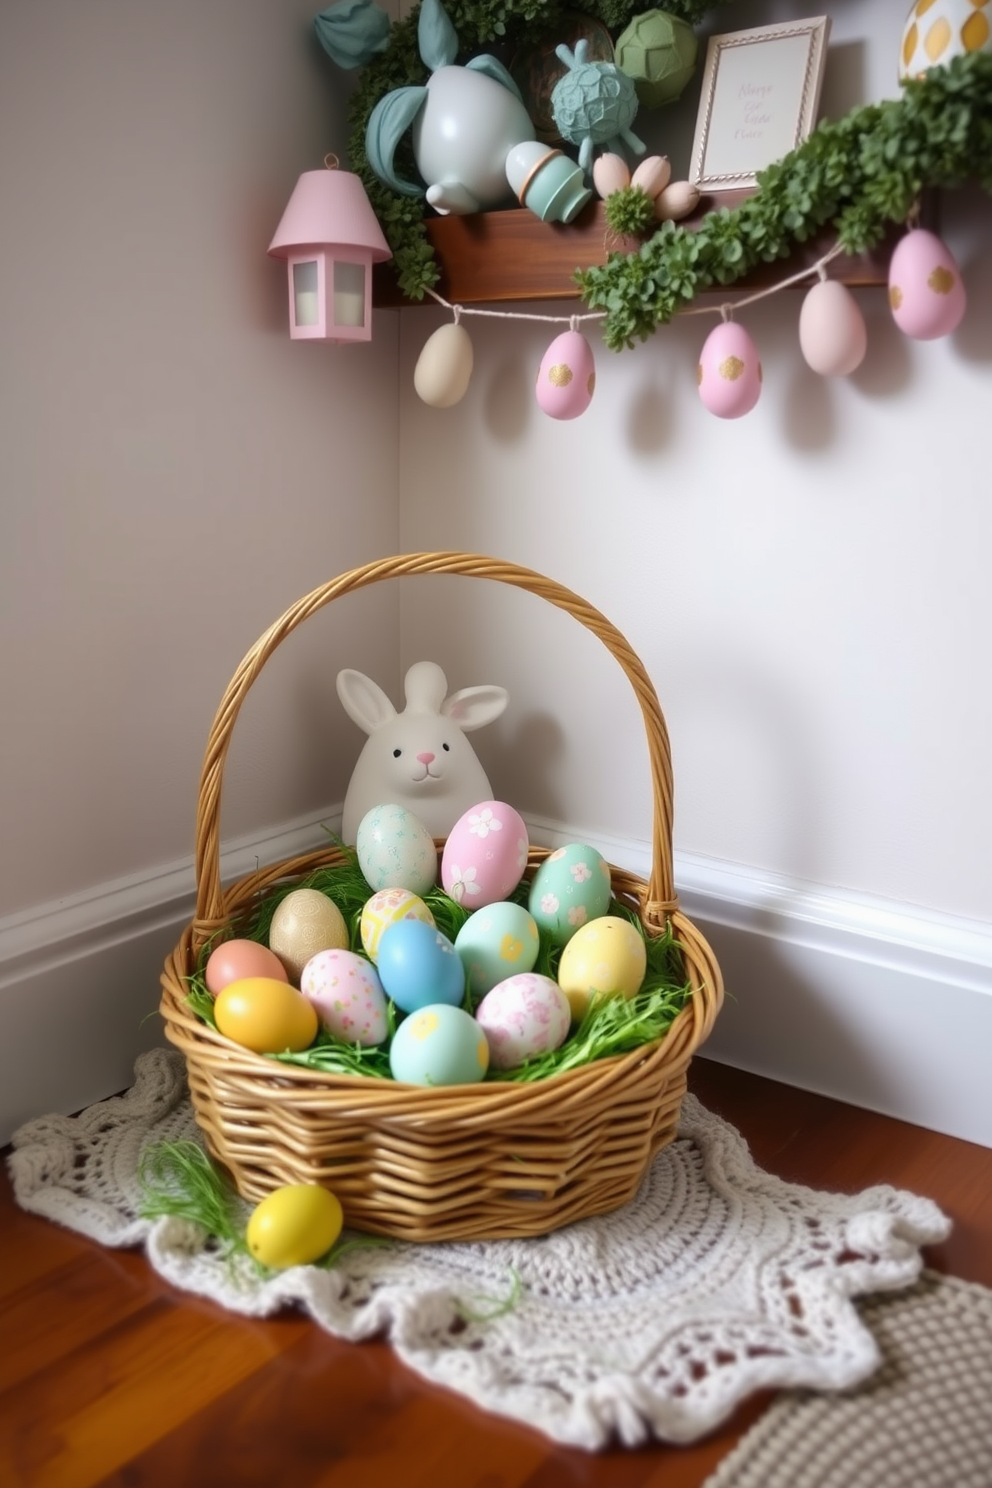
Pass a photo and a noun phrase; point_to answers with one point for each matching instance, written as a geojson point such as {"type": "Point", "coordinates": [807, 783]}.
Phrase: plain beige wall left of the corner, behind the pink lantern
{"type": "Point", "coordinates": [173, 471]}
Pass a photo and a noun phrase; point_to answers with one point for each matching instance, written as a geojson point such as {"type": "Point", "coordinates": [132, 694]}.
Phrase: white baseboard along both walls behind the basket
{"type": "Point", "coordinates": [877, 1004]}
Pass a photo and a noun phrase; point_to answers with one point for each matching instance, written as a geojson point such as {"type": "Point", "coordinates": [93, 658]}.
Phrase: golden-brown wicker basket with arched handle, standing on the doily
{"type": "Point", "coordinates": [465, 1163]}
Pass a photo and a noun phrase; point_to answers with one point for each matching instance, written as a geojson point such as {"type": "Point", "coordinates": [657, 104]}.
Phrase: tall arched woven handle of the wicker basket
{"type": "Point", "coordinates": [661, 895]}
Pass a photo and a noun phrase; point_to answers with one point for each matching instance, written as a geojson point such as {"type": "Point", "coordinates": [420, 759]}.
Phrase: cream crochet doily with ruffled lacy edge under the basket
{"type": "Point", "coordinates": [715, 1282]}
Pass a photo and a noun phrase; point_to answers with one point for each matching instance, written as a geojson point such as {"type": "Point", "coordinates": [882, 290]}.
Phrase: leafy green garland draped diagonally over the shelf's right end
{"type": "Point", "coordinates": [857, 176]}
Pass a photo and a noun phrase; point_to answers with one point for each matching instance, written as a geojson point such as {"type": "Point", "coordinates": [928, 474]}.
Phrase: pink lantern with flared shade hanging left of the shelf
{"type": "Point", "coordinates": [329, 237]}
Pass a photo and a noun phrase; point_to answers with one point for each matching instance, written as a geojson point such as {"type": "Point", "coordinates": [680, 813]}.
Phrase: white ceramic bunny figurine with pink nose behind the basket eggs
{"type": "Point", "coordinates": [419, 758]}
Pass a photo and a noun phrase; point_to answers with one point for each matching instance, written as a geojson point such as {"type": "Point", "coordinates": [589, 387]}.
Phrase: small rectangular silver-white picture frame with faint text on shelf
{"type": "Point", "coordinates": [761, 94]}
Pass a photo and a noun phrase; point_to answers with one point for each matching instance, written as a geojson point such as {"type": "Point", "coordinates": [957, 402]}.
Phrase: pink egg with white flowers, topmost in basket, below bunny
{"type": "Point", "coordinates": [486, 855]}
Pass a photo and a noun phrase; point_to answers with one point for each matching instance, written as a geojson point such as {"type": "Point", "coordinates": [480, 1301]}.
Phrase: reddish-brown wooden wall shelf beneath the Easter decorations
{"type": "Point", "coordinates": [497, 257]}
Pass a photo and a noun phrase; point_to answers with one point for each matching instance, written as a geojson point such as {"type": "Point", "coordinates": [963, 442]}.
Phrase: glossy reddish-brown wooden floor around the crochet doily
{"type": "Point", "coordinates": [108, 1376]}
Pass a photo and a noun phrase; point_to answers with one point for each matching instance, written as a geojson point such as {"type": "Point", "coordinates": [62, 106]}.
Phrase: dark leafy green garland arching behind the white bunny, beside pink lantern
{"type": "Point", "coordinates": [480, 25]}
